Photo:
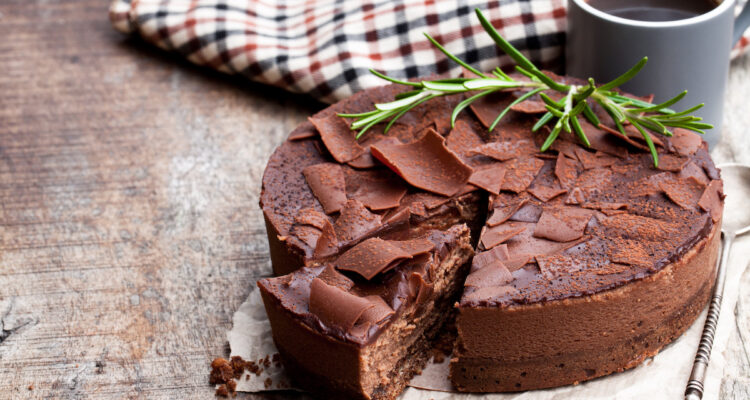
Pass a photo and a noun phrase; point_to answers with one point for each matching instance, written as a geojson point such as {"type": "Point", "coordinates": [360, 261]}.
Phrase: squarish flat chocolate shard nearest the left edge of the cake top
{"type": "Point", "coordinates": [327, 183]}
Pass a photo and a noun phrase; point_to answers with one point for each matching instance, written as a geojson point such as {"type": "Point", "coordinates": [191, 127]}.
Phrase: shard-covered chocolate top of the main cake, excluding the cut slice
{"type": "Point", "coordinates": [565, 223]}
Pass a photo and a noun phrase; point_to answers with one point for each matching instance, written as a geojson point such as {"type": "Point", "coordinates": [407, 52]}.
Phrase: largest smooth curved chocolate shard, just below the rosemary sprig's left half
{"type": "Point", "coordinates": [426, 164]}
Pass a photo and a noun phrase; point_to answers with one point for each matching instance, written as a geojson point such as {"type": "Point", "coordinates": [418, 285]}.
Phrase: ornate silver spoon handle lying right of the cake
{"type": "Point", "coordinates": [694, 389]}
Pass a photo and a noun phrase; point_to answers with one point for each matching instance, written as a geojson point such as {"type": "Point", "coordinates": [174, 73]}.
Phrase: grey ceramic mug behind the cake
{"type": "Point", "coordinates": [690, 54]}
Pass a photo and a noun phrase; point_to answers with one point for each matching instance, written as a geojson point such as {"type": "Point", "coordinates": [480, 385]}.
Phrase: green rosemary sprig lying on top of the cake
{"type": "Point", "coordinates": [565, 113]}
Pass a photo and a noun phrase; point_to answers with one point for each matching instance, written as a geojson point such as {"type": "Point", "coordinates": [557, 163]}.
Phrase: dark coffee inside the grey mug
{"type": "Point", "coordinates": [654, 10]}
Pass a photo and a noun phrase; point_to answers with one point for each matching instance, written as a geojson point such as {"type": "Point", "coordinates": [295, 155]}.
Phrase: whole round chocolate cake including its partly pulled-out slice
{"type": "Point", "coordinates": [588, 259]}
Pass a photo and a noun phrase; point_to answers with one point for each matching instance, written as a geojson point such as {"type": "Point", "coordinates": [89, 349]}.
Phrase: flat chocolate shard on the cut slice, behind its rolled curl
{"type": "Point", "coordinates": [371, 257]}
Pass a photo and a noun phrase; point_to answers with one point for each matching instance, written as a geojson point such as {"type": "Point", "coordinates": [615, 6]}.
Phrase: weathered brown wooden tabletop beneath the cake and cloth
{"type": "Point", "coordinates": [129, 224]}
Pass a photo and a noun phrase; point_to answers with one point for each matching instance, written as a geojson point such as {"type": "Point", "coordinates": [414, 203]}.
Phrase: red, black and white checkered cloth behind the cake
{"type": "Point", "coordinates": [325, 48]}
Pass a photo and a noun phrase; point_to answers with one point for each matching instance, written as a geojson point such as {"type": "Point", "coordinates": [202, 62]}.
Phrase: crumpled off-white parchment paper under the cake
{"type": "Point", "coordinates": [662, 377]}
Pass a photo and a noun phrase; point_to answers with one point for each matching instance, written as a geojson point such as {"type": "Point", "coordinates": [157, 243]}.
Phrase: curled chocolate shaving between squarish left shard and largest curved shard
{"type": "Point", "coordinates": [378, 189]}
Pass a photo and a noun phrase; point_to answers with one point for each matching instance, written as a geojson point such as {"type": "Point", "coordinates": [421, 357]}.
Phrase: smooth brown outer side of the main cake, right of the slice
{"type": "Point", "coordinates": [564, 342]}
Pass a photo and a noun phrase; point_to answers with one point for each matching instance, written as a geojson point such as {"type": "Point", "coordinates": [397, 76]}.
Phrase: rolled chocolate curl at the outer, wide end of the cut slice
{"type": "Point", "coordinates": [336, 307]}
